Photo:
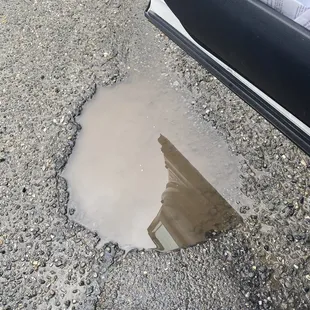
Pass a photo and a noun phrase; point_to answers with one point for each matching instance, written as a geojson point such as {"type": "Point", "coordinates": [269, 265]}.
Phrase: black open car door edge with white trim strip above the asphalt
{"type": "Point", "coordinates": [260, 54]}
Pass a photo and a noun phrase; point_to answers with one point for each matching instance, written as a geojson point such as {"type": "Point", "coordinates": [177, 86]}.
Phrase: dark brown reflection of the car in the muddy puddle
{"type": "Point", "coordinates": [191, 207]}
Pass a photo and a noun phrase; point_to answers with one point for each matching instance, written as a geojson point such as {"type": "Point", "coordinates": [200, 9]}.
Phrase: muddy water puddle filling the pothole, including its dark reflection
{"type": "Point", "coordinates": [144, 170]}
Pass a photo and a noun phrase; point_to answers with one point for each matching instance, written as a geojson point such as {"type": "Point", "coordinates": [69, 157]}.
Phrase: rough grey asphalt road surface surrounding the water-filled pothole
{"type": "Point", "coordinates": [54, 54]}
